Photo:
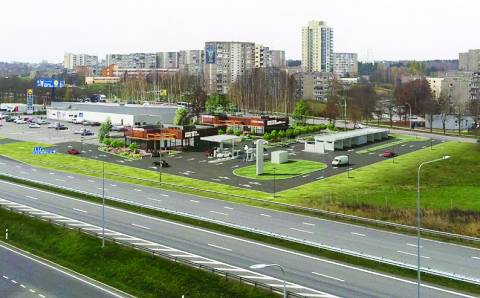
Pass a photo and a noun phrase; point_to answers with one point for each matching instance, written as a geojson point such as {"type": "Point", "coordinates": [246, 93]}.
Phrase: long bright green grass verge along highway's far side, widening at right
{"type": "Point", "coordinates": [384, 190]}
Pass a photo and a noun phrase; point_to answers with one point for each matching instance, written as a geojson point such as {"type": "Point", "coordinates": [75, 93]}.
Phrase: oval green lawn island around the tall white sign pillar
{"type": "Point", "coordinates": [287, 170]}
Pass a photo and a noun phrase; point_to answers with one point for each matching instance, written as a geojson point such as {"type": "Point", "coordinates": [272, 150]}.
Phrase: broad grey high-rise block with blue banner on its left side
{"type": "Point", "coordinates": [225, 62]}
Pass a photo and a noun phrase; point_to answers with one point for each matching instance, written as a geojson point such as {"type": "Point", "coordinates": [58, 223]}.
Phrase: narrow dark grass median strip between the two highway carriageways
{"type": "Point", "coordinates": [380, 267]}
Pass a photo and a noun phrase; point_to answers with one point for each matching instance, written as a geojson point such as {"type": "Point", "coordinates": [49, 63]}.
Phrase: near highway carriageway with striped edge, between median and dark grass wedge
{"type": "Point", "coordinates": [312, 275]}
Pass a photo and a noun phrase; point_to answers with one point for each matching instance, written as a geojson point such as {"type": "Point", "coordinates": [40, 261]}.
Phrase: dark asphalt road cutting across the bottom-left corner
{"type": "Point", "coordinates": [23, 275]}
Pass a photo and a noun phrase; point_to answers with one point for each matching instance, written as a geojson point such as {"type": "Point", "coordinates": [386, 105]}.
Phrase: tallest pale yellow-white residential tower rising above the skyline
{"type": "Point", "coordinates": [317, 47]}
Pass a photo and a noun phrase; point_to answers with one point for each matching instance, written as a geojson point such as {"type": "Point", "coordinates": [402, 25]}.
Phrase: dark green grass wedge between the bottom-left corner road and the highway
{"type": "Point", "coordinates": [129, 270]}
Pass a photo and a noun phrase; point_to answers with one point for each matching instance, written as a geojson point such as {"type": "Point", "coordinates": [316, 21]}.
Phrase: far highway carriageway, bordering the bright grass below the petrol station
{"type": "Point", "coordinates": [443, 257]}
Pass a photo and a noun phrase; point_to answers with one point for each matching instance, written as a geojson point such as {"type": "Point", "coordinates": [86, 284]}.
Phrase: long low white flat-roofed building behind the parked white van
{"type": "Point", "coordinates": [347, 139]}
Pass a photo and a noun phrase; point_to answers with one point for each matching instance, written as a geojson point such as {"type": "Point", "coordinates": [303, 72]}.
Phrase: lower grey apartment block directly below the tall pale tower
{"type": "Point", "coordinates": [313, 85]}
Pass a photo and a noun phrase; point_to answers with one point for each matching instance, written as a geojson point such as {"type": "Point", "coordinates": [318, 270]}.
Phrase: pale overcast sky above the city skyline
{"type": "Point", "coordinates": [33, 30]}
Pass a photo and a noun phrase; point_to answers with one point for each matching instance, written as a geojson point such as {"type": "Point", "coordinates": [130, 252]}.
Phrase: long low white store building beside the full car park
{"type": "Point", "coordinates": [119, 114]}
